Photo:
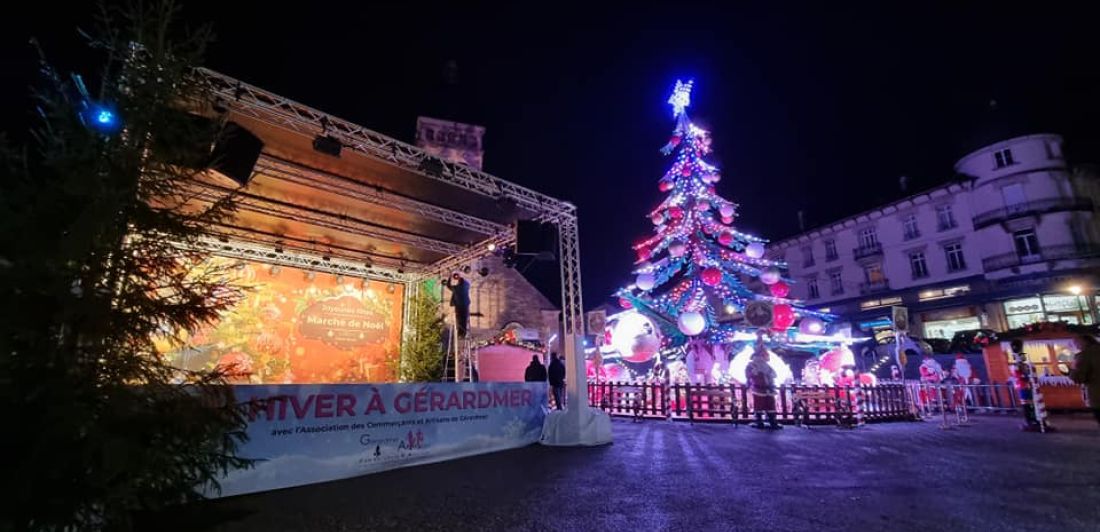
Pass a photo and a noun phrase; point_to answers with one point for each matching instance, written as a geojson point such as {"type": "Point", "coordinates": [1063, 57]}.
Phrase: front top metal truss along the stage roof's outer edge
{"type": "Point", "coordinates": [289, 115]}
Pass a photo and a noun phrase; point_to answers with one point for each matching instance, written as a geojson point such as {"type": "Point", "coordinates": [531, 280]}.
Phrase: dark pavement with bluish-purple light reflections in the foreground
{"type": "Point", "coordinates": [677, 476]}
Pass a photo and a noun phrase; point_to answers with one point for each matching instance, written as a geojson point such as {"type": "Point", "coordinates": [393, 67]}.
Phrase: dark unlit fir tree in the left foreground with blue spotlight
{"type": "Point", "coordinates": [97, 226]}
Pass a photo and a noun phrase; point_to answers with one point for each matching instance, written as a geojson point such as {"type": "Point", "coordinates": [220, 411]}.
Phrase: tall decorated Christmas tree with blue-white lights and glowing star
{"type": "Point", "coordinates": [692, 274]}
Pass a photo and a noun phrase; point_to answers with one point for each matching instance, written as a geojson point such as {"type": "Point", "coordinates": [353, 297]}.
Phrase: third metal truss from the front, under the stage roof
{"type": "Point", "coordinates": [339, 223]}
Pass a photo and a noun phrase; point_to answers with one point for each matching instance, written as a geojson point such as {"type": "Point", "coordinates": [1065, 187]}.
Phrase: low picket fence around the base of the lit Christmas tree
{"type": "Point", "coordinates": [733, 404]}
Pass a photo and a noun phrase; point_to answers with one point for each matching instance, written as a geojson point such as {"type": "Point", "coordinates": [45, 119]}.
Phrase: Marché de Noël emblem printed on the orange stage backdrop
{"type": "Point", "coordinates": [344, 323]}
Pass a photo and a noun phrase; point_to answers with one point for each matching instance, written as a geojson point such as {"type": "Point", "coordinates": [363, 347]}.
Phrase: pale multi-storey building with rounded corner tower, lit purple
{"type": "Point", "coordinates": [1015, 242]}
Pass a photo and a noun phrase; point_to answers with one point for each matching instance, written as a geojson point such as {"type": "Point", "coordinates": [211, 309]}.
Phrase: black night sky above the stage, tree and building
{"type": "Point", "coordinates": [812, 107]}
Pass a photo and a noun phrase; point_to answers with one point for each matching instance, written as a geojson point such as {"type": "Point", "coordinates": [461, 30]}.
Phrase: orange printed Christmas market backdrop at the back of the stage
{"type": "Point", "coordinates": [296, 328]}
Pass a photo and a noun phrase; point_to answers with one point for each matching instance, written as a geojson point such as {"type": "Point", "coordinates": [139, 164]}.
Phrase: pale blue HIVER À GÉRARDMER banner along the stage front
{"type": "Point", "coordinates": [314, 434]}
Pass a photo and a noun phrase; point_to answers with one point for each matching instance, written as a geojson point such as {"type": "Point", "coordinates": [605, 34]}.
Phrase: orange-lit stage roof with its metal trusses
{"type": "Point", "coordinates": [381, 202]}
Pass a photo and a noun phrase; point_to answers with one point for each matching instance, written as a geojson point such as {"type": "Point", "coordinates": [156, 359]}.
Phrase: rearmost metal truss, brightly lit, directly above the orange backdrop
{"type": "Point", "coordinates": [249, 251]}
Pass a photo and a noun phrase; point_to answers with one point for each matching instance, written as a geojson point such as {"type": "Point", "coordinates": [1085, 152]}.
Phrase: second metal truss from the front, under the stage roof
{"type": "Point", "coordinates": [323, 181]}
